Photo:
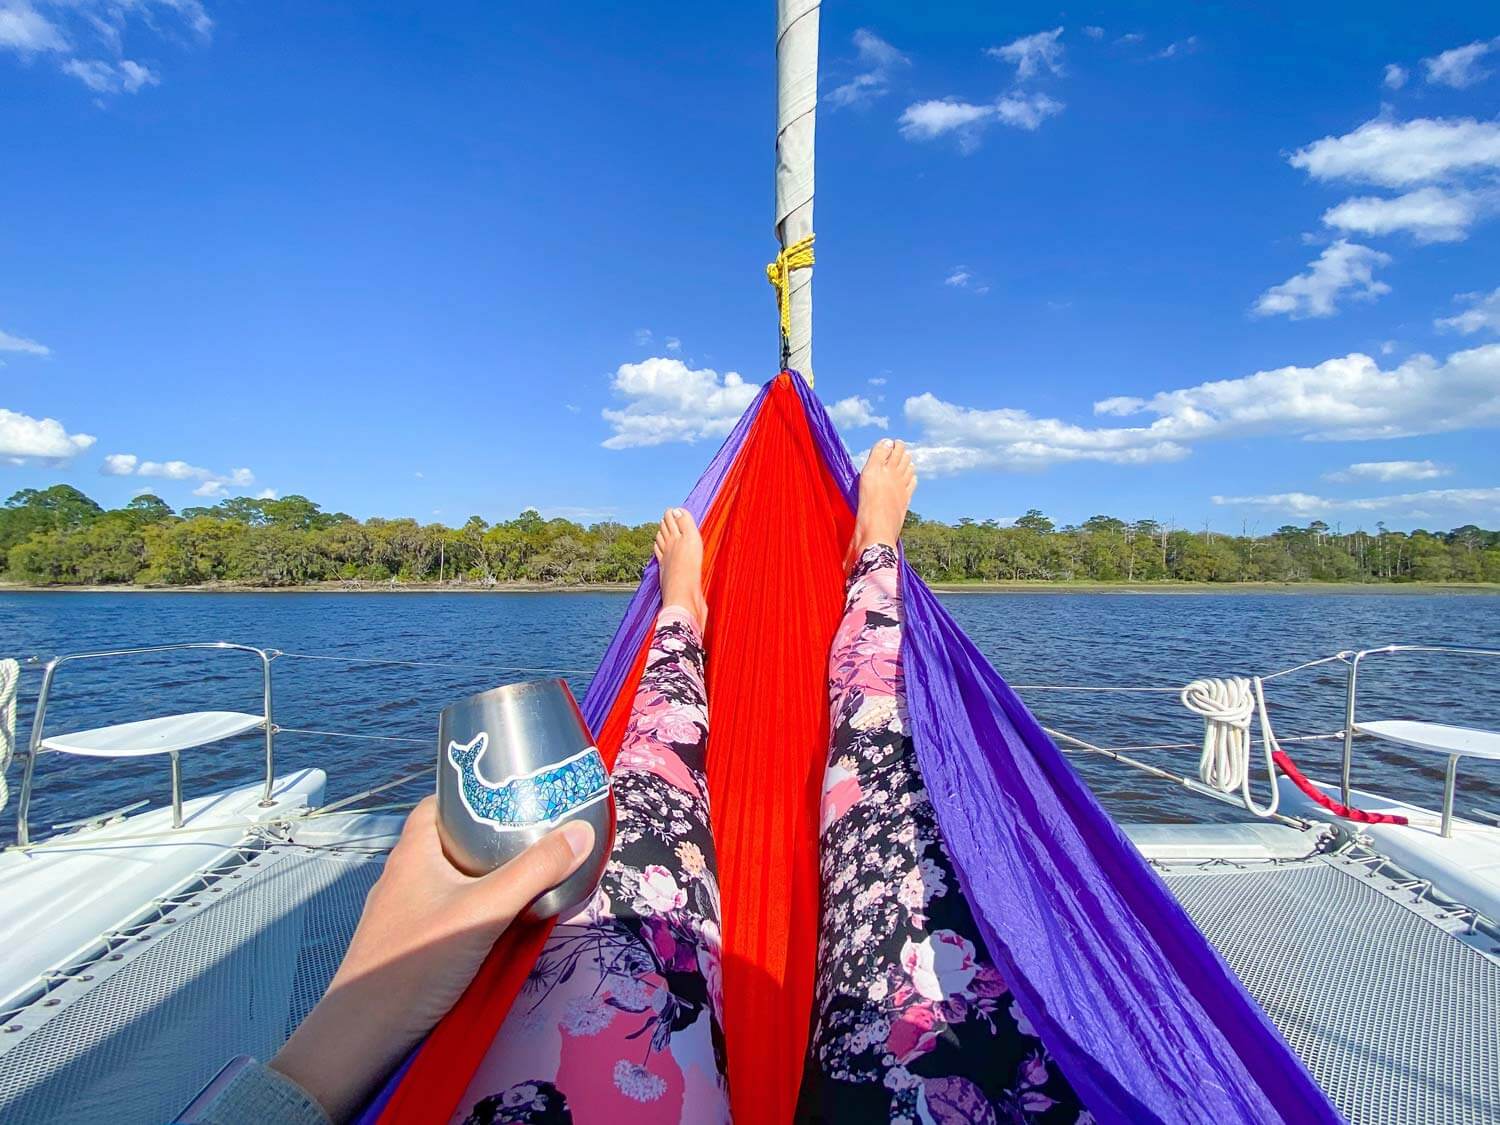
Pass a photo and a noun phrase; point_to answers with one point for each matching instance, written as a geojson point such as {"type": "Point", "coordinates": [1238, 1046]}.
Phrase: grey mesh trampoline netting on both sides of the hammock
{"type": "Point", "coordinates": [1391, 1003]}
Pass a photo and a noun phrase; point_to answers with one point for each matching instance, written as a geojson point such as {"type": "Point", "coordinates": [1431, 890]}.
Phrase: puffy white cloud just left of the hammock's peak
{"type": "Point", "coordinates": [668, 401]}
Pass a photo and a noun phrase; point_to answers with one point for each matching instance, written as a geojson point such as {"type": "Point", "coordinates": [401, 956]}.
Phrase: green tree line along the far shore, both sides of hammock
{"type": "Point", "coordinates": [59, 536]}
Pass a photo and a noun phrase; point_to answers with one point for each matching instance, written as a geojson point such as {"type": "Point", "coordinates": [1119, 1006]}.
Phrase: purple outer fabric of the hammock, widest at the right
{"type": "Point", "coordinates": [1136, 1007]}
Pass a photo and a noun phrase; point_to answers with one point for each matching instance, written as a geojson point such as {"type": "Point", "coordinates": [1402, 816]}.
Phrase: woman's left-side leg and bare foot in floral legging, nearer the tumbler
{"type": "Point", "coordinates": [623, 1018]}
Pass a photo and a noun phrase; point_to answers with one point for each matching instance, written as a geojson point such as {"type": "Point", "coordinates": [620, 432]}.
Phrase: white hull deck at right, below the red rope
{"type": "Point", "coordinates": [1465, 866]}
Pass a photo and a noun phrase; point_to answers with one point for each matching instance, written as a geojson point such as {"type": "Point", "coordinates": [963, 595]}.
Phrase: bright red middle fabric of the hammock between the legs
{"type": "Point", "coordinates": [773, 571]}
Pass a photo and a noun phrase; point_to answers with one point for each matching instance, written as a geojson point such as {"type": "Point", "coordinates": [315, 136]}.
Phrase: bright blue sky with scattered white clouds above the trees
{"type": "Point", "coordinates": [1195, 263]}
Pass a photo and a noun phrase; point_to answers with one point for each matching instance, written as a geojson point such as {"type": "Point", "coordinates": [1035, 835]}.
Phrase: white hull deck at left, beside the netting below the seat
{"type": "Point", "coordinates": [62, 895]}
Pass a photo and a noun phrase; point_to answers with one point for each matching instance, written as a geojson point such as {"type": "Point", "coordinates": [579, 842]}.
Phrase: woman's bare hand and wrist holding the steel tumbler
{"type": "Point", "coordinates": [425, 931]}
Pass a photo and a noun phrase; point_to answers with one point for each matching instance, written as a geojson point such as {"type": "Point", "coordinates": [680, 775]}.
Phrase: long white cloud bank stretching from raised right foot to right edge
{"type": "Point", "coordinates": [1342, 400]}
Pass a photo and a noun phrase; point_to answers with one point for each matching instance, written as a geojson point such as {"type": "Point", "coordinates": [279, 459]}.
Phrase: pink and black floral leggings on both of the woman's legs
{"type": "Point", "coordinates": [913, 1025]}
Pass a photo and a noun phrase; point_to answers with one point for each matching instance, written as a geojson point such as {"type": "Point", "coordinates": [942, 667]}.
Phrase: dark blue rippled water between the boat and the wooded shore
{"type": "Point", "coordinates": [1123, 640]}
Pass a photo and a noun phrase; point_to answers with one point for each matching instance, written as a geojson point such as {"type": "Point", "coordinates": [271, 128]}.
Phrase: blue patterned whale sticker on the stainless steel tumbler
{"type": "Point", "coordinates": [542, 797]}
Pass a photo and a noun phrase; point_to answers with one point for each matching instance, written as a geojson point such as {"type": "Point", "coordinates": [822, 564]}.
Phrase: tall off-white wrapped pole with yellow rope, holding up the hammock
{"type": "Point", "coordinates": [796, 127]}
